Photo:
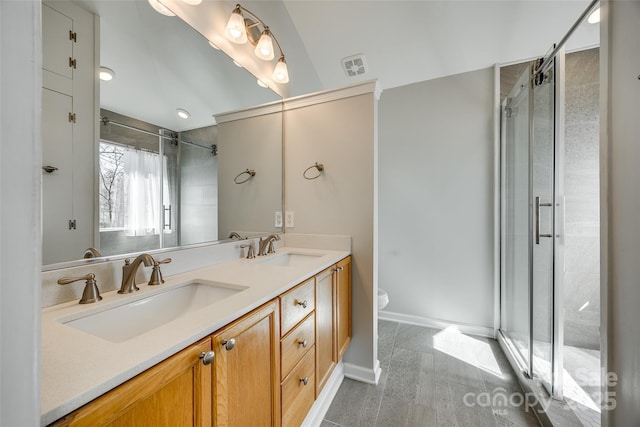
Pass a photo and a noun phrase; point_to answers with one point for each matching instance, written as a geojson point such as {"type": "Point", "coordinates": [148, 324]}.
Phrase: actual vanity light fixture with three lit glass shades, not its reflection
{"type": "Point", "coordinates": [241, 29]}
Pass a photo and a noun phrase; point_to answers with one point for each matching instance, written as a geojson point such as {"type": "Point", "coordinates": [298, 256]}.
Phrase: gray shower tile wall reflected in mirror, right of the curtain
{"type": "Point", "coordinates": [199, 187]}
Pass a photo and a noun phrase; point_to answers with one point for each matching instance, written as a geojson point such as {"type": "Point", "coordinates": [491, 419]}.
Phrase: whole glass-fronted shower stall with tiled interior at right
{"type": "Point", "coordinates": [549, 174]}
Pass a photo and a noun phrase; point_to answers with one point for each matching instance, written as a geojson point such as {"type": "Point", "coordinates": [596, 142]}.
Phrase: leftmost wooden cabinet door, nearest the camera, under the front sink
{"type": "Point", "coordinates": [176, 392]}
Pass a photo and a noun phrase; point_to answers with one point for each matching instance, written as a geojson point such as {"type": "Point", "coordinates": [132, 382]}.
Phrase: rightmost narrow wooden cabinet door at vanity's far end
{"type": "Point", "coordinates": [342, 295]}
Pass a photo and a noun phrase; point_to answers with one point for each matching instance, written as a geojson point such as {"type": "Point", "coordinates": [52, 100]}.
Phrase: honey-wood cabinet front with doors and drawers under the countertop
{"type": "Point", "coordinates": [269, 367]}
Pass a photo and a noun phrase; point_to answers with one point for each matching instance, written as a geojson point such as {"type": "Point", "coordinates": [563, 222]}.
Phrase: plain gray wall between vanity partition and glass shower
{"type": "Point", "coordinates": [436, 198]}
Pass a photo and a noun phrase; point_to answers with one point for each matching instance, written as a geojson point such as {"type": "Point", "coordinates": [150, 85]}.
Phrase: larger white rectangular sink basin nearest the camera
{"type": "Point", "coordinates": [129, 320]}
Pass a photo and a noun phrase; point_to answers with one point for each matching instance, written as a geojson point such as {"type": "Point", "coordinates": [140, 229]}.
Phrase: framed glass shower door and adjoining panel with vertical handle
{"type": "Point", "coordinates": [530, 319]}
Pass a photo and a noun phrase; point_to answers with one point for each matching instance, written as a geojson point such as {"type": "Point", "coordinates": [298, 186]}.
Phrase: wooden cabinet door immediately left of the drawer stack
{"type": "Point", "coordinates": [247, 370]}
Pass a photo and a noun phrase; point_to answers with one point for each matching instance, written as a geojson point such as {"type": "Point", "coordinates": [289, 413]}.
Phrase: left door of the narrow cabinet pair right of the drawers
{"type": "Point", "coordinates": [324, 328]}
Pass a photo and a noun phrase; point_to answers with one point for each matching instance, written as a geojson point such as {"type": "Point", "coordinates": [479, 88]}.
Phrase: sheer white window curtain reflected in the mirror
{"type": "Point", "coordinates": [143, 193]}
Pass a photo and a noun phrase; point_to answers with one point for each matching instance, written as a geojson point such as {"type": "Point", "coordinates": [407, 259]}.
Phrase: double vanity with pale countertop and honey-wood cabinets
{"type": "Point", "coordinates": [242, 342]}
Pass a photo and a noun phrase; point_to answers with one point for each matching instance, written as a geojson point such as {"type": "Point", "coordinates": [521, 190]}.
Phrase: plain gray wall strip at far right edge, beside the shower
{"type": "Point", "coordinates": [620, 204]}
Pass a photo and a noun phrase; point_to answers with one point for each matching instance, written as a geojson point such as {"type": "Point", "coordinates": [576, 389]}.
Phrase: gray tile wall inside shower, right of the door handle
{"type": "Point", "coordinates": [582, 230]}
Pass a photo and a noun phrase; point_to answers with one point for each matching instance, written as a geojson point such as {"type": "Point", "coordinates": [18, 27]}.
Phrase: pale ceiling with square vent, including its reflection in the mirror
{"type": "Point", "coordinates": [404, 42]}
